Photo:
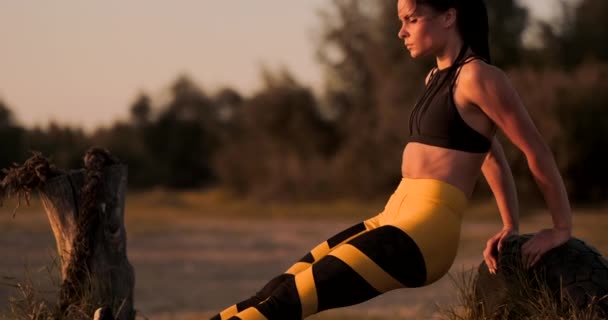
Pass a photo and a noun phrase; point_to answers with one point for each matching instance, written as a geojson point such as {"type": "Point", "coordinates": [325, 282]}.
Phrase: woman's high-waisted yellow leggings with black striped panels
{"type": "Point", "coordinates": [411, 243]}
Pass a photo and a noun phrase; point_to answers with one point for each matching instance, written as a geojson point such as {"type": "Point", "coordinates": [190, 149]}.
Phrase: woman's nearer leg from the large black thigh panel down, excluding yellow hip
{"type": "Point", "coordinates": [370, 264]}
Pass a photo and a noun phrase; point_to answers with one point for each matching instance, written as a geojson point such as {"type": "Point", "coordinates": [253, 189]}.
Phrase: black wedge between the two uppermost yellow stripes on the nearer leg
{"type": "Point", "coordinates": [338, 285]}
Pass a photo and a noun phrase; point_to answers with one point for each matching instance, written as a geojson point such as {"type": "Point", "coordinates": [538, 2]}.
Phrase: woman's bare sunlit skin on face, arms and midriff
{"type": "Point", "coordinates": [486, 101]}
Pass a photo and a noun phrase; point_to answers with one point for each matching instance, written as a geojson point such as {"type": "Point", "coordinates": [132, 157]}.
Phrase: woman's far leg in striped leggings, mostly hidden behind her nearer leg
{"type": "Point", "coordinates": [304, 263]}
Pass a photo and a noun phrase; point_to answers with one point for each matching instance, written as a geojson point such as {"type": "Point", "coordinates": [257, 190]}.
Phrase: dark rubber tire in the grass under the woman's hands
{"type": "Point", "coordinates": [574, 273]}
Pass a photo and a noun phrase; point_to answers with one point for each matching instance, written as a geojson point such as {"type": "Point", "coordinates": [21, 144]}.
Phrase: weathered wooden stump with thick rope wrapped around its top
{"type": "Point", "coordinates": [86, 211]}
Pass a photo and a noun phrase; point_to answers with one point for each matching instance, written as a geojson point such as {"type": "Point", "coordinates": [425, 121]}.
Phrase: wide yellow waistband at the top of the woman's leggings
{"type": "Point", "coordinates": [434, 189]}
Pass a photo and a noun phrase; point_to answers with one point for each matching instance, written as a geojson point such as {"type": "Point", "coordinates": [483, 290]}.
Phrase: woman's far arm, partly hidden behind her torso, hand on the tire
{"type": "Point", "coordinates": [498, 174]}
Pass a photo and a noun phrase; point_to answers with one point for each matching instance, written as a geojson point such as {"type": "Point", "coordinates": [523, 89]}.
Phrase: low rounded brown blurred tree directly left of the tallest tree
{"type": "Point", "coordinates": [279, 143]}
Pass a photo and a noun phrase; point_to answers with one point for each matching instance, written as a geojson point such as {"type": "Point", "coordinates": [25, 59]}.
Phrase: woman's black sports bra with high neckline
{"type": "Point", "coordinates": [435, 119]}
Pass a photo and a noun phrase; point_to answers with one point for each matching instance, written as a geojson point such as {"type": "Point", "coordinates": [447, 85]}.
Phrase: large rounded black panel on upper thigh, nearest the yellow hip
{"type": "Point", "coordinates": [395, 252]}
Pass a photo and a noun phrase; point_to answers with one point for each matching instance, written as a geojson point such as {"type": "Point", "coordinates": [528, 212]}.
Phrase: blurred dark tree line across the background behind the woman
{"type": "Point", "coordinates": [286, 141]}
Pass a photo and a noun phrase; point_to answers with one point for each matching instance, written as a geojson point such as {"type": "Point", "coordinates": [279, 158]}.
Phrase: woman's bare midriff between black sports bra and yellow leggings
{"type": "Point", "coordinates": [458, 168]}
